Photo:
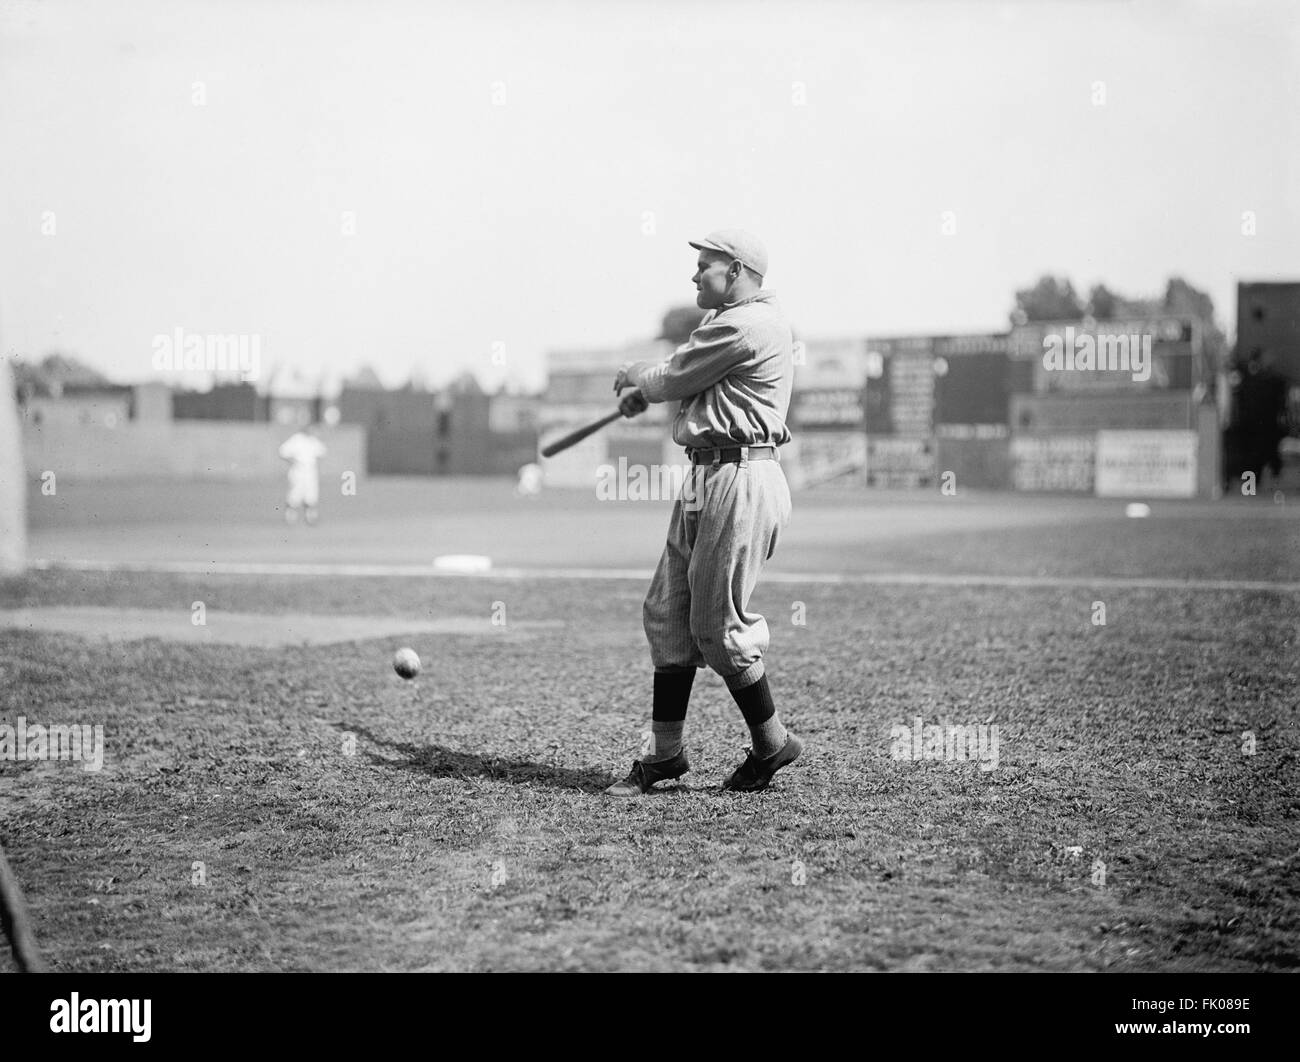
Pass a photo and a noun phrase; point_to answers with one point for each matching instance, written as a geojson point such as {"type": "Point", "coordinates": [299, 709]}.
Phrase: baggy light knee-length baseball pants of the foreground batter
{"type": "Point", "coordinates": [726, 525]}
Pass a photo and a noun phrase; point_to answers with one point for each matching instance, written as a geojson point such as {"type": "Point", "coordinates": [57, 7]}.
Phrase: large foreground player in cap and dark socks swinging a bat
{"type": "Point", "coordinates": [734, 380]}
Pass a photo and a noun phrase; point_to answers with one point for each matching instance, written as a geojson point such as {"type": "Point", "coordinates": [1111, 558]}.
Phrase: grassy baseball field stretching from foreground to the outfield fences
{"type": "Point", "coordinates": [349, 821]}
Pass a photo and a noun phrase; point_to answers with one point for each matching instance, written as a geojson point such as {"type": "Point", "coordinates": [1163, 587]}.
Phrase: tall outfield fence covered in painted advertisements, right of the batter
{"type": "Point", "coordinates": [1108, 408]}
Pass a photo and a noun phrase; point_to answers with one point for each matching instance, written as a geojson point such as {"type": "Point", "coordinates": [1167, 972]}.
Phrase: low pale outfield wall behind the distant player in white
{"type": "Point", "coordinates": [179, 450]}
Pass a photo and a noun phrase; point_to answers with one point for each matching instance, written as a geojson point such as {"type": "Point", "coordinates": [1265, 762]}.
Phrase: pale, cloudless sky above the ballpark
{"type": "Point", "coordinates": [465, 187]}
